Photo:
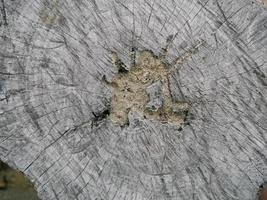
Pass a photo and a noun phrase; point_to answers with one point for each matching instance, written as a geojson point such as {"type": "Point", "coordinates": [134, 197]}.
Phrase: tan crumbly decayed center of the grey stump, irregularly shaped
{"type": "Point", "coordinates": [145, 88]}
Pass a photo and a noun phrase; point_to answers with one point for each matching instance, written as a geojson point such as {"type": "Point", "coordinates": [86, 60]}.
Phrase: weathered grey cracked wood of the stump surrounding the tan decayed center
{"type": "Point", "coordinates": [55, 104]}
